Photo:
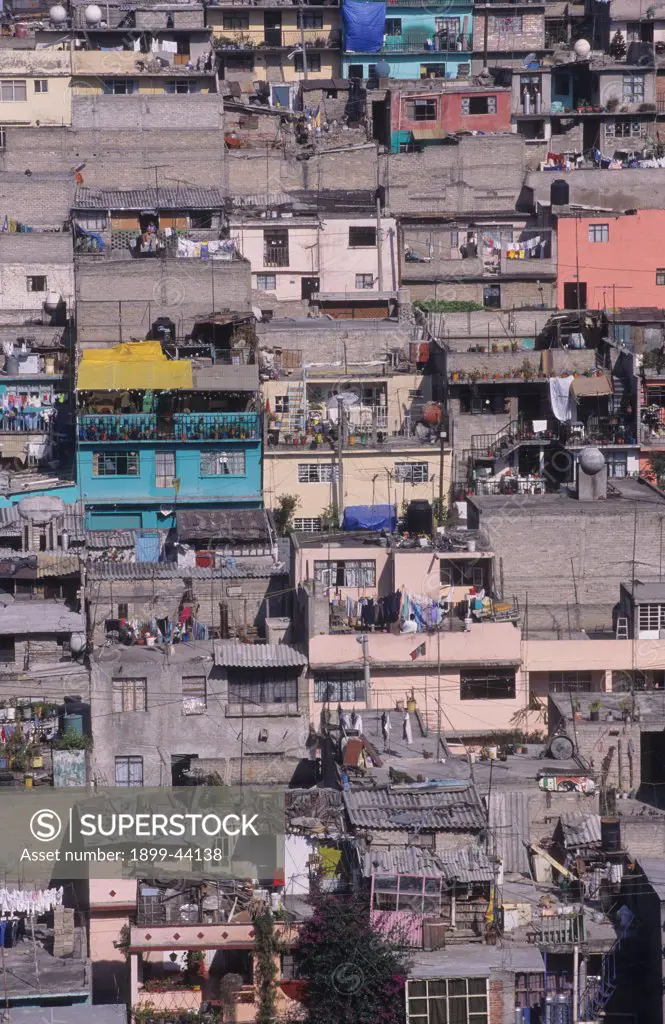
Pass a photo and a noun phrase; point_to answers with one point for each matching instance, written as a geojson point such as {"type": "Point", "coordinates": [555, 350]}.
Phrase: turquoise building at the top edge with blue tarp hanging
{"type": "Point", "coordinates": [418, 41]}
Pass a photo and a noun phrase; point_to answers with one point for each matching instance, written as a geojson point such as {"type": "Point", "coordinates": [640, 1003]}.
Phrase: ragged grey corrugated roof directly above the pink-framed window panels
{"type": "Point", "coordinates": [469, 865]}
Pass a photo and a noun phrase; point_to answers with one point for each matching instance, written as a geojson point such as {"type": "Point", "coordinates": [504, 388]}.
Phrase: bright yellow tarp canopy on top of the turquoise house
{"type": "Point", "coordinates": [135, 365]}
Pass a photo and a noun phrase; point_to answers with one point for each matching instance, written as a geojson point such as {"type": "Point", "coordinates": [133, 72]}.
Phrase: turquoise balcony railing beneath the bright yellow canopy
{"type": "Point", "coordinates": [184, 428]}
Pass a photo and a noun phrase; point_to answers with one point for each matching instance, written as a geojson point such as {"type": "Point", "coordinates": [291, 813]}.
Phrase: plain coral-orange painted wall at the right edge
{"type": "Point", "coordinates": [629, 260]}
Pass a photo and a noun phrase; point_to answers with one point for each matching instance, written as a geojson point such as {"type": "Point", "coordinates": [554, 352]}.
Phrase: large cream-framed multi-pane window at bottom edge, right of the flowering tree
{"type": "Point", "coordinates": [454, 1001]}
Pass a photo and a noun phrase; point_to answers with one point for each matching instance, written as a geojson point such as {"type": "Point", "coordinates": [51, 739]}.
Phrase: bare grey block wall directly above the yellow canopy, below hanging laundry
{"type": "Point", "coordinates": [118, 301]}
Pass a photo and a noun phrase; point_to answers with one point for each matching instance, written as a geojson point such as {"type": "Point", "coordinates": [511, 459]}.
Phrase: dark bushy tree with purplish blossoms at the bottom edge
{"type": "Point", "coordinates": [352, 974]}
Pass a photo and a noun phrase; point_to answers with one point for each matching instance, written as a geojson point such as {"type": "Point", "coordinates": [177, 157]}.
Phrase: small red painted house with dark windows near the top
{"type": "Point", "coordinates": [428, 116]}
